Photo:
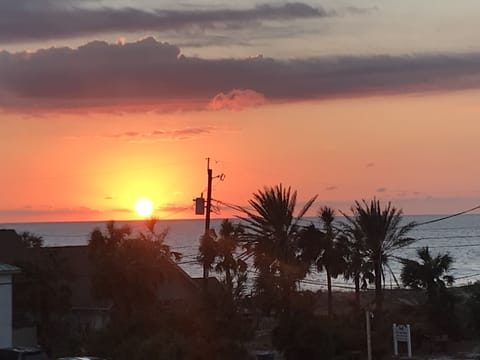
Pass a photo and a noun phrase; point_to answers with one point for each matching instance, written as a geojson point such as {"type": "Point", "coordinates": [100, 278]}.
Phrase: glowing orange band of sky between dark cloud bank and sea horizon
{"type": "Point", "coordinates": [406, 149]}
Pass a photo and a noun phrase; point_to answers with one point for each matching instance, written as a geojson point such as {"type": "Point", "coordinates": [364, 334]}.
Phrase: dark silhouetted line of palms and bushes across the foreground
{"type": "Point", "coordinates": [260, 263]}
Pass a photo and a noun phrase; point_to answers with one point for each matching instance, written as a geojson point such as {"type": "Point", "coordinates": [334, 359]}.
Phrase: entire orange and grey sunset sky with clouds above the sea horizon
{"type": "Point", "coordinates": [105, 102]}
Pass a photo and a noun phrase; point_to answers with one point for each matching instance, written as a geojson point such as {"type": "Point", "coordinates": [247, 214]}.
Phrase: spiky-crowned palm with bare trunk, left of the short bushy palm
{"type": "Point", "coordinates": [382, 232]}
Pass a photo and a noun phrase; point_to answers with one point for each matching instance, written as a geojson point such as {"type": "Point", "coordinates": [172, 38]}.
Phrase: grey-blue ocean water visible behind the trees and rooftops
{"type": "Point", "coordinates": [459, 236]}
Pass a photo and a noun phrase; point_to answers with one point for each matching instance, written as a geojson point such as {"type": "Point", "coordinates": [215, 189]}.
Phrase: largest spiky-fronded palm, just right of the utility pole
{"type": "Point", "coordinates": [272, 237]}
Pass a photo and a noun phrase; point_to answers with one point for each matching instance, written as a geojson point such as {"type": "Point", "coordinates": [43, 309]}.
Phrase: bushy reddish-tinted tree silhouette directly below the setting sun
{"type": "Point", "coordinates": [127, 270]}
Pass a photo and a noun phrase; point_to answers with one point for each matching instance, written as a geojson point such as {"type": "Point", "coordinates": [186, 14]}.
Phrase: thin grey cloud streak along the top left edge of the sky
{"type": "Point", "coordinates": [29, 20]}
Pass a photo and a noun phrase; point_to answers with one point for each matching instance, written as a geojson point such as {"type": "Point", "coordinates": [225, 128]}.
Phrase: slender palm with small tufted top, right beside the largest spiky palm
{"type": "Point", "coordinates": [323, 249]}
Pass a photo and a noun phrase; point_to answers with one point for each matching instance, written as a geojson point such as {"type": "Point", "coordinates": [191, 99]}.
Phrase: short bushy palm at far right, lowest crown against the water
{"type": "Point", "coordinates": [431, 273]}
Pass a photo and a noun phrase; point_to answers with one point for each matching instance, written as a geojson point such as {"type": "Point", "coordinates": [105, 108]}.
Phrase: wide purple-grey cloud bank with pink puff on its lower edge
{"type": "Point", "coordinates": [155, 73]}
